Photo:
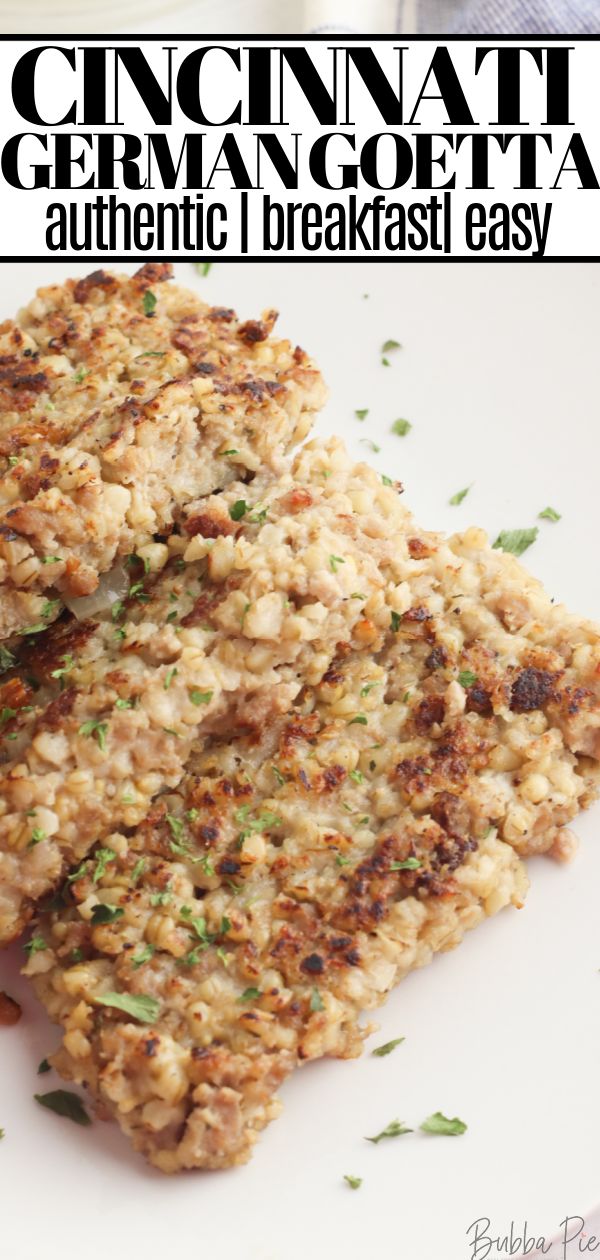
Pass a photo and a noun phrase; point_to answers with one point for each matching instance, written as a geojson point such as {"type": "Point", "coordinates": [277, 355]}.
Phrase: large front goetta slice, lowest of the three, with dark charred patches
{"type": "Point", "coordinates": [308, 864]}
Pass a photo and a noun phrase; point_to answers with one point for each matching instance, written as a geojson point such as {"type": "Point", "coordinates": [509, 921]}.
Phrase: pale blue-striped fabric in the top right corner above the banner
{"type": "Point", "coordinates": [529, 17]}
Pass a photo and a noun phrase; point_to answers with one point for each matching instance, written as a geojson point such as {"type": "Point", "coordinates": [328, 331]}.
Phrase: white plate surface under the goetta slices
{"type": "Point", "coordinates": [499, 376]}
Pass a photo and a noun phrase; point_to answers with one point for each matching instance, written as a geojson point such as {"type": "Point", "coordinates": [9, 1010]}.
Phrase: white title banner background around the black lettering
{"type": "Point", "coordinates": [575, 219]}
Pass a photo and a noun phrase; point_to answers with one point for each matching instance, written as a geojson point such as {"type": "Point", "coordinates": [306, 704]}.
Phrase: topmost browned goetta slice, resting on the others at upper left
{"type": "Point", "coordinates": [123, 401]}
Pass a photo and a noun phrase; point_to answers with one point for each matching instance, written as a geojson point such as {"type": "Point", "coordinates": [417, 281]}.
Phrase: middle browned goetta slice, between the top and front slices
{"type": "Point", "coordinates": [251, 603]}
